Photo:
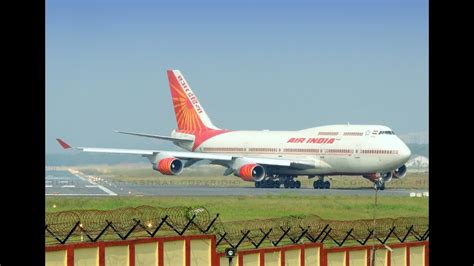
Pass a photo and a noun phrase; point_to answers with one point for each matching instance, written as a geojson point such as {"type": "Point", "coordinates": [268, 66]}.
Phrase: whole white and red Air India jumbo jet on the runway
{"type": "Point", "coordinates": [271, 159]}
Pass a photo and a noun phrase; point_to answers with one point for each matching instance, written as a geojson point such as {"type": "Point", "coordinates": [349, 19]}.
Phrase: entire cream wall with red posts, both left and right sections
{"type": "Point", "coordinates": [200, 250]}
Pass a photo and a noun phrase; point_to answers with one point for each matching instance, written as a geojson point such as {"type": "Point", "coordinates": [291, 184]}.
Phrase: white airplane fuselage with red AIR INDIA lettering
{"type": "Point", "coordinates": [335, 149]}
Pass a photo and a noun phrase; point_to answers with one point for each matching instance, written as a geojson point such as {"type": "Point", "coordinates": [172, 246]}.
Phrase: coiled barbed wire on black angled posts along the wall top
{"type": "Point", "coordinates": [148, 221]}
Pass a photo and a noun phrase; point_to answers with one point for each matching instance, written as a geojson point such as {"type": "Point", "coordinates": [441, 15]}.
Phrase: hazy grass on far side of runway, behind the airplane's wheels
{"type": "Point", "coordinates": [212, 176]}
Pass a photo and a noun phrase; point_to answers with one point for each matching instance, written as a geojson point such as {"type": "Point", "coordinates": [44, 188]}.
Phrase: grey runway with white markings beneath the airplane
{"type": "Point", "coordinates": [65, 183]}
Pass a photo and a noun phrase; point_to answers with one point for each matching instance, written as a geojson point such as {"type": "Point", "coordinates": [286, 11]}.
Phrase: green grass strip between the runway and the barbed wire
{"type": "Point", "coordinates": [232, 208]}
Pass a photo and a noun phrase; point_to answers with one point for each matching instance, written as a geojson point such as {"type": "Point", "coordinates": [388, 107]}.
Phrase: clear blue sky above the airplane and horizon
{"type": "Point", "coordinates": [279, 65]}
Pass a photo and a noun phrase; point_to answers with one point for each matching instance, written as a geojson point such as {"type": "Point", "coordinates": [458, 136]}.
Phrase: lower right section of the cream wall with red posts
{"type": "Point", "coordinates": [406, 254]}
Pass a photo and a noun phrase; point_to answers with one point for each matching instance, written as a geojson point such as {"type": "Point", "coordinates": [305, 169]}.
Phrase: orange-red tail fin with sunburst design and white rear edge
{"type": "Point", "coordinates": [189, 113]}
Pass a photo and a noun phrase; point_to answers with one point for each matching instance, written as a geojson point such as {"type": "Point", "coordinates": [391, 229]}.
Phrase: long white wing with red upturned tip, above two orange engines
{"type": "Point", "coordinates": [196, 156]}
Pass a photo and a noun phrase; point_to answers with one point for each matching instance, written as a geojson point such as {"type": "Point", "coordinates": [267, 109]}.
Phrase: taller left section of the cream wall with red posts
{"type": "Point", "coordinates": [162, 251]}
